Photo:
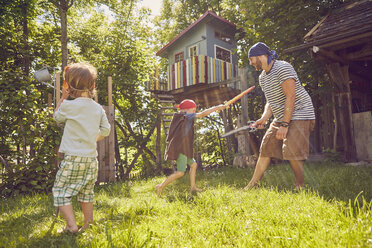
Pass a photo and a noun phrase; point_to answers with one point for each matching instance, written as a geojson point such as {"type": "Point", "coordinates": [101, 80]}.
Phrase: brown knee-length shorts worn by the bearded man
{"type": "Point", "coordinates": [294, 147]}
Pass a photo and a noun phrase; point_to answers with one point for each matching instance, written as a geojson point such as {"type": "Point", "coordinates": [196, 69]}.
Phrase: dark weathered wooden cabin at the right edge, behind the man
{"type": "Point", "coordinates": [342, 40]}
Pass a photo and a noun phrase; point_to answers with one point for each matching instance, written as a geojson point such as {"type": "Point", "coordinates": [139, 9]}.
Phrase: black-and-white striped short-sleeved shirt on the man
{"type": "Point", "coordinates": [271, 85]}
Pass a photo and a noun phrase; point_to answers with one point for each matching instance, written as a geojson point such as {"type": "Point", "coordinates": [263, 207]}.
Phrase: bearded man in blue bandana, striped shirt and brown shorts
{"type": "Point", "coordinates": [286, 99]}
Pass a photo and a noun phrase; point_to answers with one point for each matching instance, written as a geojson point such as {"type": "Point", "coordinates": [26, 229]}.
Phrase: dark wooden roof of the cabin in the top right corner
{"type": "Point", "coordinates": [347, 26]}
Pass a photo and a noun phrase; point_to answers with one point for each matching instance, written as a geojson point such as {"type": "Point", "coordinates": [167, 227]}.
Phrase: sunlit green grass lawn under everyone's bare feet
{"type": "Point", "coordinates": [334, 210]}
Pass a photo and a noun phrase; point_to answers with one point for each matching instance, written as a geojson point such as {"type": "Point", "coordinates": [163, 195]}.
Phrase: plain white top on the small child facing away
{"type": "Point", "coordinates": [84, 119]}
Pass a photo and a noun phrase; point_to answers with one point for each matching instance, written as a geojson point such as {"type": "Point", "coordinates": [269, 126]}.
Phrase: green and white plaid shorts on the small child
{"type": "Point", "coordinates": [76, 176]}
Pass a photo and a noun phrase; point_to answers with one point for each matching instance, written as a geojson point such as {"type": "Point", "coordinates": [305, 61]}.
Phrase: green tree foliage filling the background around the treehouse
{"type": "Point", "coordinates": [117, 38]}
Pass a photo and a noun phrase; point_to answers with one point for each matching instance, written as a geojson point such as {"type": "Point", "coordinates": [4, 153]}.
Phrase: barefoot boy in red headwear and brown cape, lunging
{"type": "Point", "coordinates": [181, 141]}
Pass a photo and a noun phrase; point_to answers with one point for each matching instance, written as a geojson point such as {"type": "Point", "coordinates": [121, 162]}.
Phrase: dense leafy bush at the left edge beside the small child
{"type": "Point", "coordinates": [29, 138]}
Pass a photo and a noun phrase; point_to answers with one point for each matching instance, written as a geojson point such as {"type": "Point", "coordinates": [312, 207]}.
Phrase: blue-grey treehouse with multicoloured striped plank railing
{"type": "Point", "coordinates": [202, 65]}
